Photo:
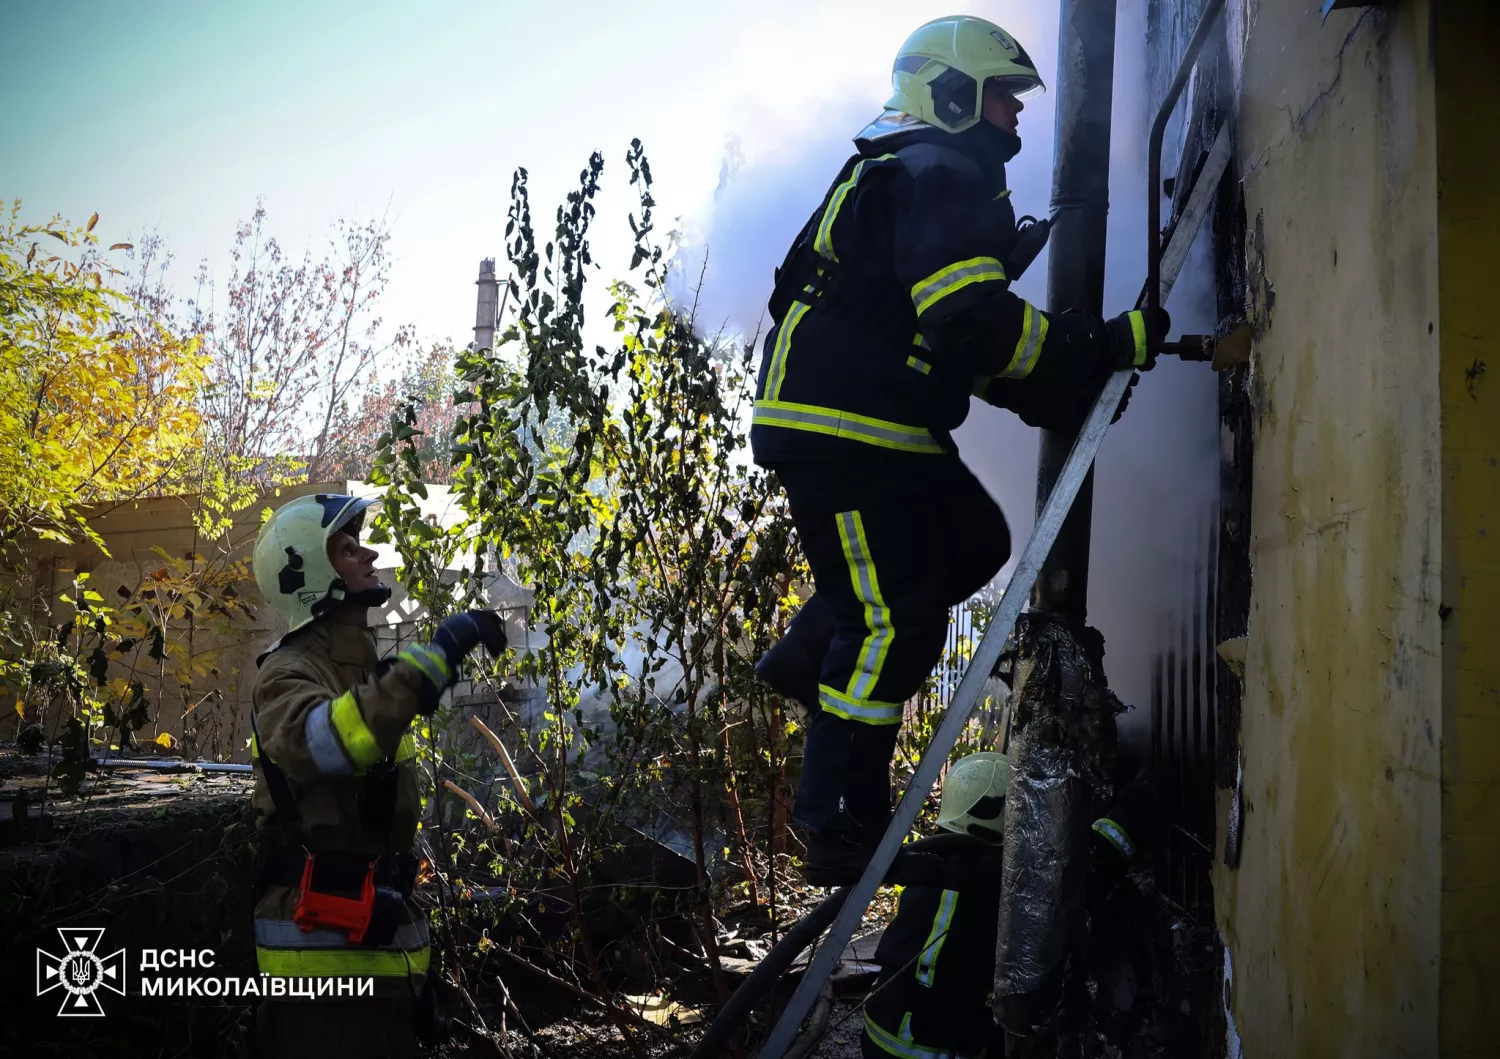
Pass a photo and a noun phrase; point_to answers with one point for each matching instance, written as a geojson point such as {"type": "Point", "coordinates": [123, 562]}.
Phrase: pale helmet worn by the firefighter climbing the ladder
{"type": "Point", "coordinates": [941, 71]}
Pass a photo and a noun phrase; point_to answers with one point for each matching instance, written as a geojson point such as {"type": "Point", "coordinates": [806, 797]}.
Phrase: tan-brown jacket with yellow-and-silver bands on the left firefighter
{"type": "Point", "coordinates": [335, 721]}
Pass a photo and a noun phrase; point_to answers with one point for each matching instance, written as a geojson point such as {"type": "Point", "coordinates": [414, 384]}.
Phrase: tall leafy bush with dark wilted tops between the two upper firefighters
{"type": "Point", "coordinates": [610, 482]}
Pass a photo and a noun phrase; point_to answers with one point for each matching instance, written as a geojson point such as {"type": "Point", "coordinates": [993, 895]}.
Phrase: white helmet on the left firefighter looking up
{"type": "Point", "coordinates": [292, 554]}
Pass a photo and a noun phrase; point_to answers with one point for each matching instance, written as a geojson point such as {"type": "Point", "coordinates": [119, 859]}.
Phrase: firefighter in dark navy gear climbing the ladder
{"type": "Point", "coordinates": [893, 308]}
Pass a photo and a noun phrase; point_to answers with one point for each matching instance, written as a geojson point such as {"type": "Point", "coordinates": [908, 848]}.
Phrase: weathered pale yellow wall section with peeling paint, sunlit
{"type": "Point", "coordinates": [1333, 917]}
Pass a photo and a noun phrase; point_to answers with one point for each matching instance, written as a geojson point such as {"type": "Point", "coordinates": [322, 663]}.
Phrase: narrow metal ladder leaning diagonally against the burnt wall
{"type": "Point", "coordinates": [1163, 268]}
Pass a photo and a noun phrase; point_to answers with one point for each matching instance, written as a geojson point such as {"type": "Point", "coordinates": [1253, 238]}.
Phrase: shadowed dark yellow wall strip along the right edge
{"type": "Point", "coordinates": [1469, 329]}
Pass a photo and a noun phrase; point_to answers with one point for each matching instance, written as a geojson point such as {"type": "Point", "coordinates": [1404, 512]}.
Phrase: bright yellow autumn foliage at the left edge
{"type": "Point", "coordinates": [95, 406]}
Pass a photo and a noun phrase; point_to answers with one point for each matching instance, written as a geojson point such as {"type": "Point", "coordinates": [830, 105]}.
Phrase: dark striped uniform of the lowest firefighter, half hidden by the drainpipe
{"type": "Point", "coordinates": [932, 1000]}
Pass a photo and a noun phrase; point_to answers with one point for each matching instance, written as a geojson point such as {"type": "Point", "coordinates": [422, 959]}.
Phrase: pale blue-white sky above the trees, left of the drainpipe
{"type": "Point", "coordinates": [179, 116]}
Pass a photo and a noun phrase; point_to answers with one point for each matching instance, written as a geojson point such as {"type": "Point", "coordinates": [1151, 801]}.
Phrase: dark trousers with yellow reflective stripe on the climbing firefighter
{"type": "Point", "coordinates": [890, 551]}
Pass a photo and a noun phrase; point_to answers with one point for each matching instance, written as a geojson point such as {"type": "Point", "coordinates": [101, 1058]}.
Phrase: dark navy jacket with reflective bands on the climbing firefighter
{"type": "Point", "coordinates": [895, 307]}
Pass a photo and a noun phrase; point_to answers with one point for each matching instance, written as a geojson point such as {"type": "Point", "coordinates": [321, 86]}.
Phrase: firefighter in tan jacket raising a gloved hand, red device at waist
{"type": "Point", "coordinates": [337, 790]}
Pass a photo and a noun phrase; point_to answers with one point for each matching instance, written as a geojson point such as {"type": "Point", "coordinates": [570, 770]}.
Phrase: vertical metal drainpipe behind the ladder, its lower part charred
{"type": "Point", "coordinates": [1063, 733]}
